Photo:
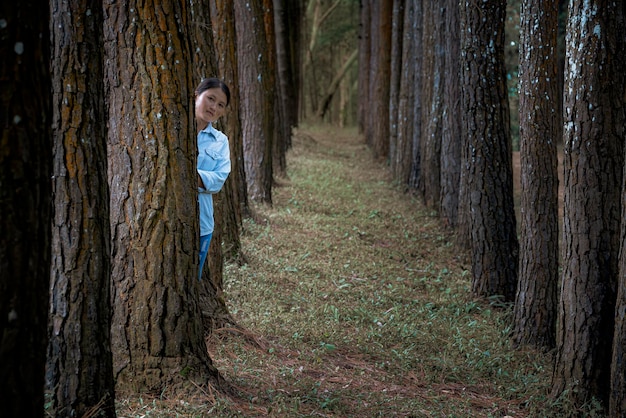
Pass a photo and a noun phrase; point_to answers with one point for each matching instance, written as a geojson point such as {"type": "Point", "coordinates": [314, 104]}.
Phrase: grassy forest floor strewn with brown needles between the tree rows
{"type": "Point", "coordinates": [356, 302]}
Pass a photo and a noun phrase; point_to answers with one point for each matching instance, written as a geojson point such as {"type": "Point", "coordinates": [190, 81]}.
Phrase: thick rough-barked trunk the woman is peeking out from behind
{"type": "Point", "coordinates": [157, 337]}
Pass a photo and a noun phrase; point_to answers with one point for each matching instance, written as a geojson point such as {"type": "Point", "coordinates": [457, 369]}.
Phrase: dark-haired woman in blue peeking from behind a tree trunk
{"type": "Point", "coordinates": [212, 97]}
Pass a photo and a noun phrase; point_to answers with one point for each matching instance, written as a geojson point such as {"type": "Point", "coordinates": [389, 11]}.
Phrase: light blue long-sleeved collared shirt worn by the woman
{"type": "Point", "coordinates": [213, 168]}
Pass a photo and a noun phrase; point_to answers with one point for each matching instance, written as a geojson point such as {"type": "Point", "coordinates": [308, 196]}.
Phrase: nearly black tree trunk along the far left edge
{"type": "Point", "coordinates": [25, 201]}
